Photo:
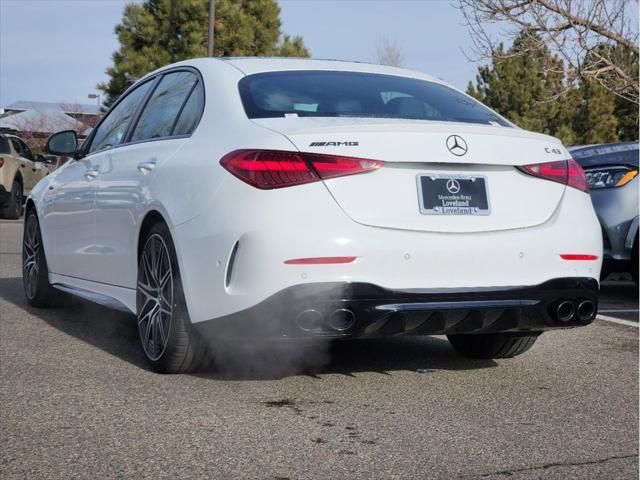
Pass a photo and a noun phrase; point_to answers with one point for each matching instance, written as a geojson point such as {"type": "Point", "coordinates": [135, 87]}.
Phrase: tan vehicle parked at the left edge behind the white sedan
{"type": "Point", "coordinates": [20, 170]}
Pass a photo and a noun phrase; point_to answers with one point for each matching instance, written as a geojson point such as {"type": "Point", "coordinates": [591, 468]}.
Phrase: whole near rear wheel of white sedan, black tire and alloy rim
{"type": "Point", "coordinates": [168, 340]}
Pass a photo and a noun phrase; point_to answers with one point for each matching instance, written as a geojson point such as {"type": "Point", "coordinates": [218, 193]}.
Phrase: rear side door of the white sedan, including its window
{"type": "Point", "coordinates": [168, 117]}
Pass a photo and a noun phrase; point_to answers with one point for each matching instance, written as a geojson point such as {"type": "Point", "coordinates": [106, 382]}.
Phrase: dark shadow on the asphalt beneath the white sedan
{"type": "Point", "coordinates": [116, 333]}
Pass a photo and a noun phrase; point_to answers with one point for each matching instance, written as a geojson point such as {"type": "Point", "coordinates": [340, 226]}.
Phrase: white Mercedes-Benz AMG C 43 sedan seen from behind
{"type": "Point", "coordinates": [288, 198]}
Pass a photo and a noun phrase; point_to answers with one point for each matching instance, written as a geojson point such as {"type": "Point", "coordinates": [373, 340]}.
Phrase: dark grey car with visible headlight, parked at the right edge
{"type": "Point", "coordinates": [612, 172]}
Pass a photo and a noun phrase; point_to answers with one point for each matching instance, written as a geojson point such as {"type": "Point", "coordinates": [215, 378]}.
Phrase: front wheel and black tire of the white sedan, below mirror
{"type": "Point", "coordinates": [35, 274]}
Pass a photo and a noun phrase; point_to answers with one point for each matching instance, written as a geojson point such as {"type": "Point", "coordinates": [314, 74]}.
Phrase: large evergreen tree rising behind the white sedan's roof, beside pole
{"type": "Point", "coordinates": [158, 32]}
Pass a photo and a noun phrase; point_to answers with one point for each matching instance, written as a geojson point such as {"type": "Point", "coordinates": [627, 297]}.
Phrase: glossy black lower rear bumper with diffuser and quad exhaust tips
{"type": "Point", "coordinates": [335, 310]}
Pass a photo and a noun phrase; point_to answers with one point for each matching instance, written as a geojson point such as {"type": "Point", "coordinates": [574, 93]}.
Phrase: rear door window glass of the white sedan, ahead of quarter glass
{"type": "Point", "coordinates": [164, 105]}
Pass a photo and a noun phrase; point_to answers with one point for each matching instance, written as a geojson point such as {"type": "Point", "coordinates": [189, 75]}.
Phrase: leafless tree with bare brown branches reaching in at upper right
{"type": "Point", "coordinates": [598, 39]}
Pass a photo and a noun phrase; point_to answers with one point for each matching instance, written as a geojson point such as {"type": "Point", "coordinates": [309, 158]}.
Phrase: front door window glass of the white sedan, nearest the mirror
{"type": "Point", "coordinates": [112, 129]}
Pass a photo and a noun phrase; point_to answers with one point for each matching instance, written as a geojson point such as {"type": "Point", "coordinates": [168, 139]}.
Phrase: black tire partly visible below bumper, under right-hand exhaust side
{"type": "Point", "coordinates": [492, 345]}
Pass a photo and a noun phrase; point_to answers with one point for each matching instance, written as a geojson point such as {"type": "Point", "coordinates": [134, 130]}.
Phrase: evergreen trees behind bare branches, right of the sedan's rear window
{"type": "Point", "coordinates": [529, 87]}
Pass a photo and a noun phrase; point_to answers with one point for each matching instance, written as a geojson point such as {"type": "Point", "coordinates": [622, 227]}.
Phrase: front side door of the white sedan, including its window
{"type": "Point", "coordinates": [72, 211]}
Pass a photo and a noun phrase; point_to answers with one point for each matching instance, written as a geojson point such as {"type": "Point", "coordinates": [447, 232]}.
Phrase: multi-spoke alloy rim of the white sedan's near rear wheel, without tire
{"type": "Point", "coordinates": [154, 296]}
